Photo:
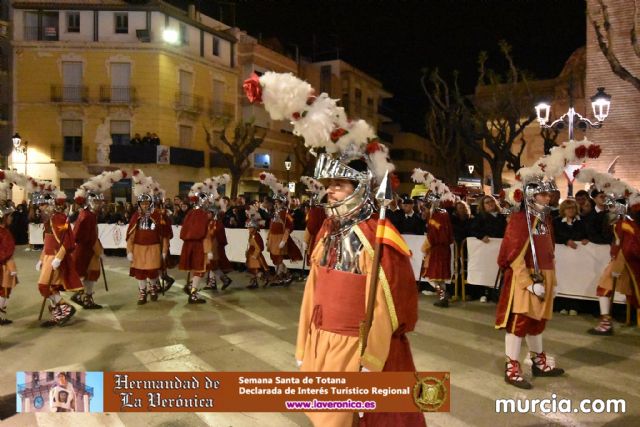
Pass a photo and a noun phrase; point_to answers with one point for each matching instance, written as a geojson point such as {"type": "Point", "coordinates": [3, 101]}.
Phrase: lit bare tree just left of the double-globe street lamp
{"type": "Point", "coordinates": [502, 111]}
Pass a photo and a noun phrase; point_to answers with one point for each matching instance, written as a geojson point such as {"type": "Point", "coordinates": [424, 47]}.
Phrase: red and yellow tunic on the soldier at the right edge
{"type": "Point", "coordinates": [625, 260]}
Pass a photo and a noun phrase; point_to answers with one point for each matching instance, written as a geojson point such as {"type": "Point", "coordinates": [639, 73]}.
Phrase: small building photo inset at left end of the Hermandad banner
{"type": "Point", "coordinates": [59, 391]}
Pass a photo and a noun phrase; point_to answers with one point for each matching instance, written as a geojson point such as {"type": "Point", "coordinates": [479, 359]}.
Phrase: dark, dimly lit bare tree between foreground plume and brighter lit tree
{"type": "Point", "coordinates": [445, 121]}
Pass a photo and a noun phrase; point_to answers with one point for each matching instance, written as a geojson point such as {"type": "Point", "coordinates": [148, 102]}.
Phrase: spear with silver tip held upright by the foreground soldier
{"type": "Point", "coordinates": [384, 196]}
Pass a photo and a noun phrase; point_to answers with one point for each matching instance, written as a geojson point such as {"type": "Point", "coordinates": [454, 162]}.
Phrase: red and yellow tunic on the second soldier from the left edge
{"type": "Point", "coordinates": [58, 243]}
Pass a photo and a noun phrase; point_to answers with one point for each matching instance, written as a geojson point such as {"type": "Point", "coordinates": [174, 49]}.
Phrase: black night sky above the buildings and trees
{"type": "Point", "coordinates": [394, 40]}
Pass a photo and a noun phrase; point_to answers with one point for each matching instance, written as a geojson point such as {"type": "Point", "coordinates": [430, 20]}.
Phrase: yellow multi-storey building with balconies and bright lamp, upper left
{"type": "Point", "coordinates": [90, 75]}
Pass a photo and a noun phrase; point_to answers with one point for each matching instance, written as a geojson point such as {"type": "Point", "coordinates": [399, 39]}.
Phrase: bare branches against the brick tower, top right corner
{"type": "Point", "coordinates": [602, 28]}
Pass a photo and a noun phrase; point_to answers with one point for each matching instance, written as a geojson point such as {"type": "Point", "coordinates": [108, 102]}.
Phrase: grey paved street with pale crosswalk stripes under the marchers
{"type": "Point", "coordinates": [242, 330]}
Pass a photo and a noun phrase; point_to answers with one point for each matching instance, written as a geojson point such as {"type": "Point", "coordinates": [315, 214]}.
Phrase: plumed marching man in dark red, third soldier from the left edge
{"type": "Point", "coordinates": [88, 252]}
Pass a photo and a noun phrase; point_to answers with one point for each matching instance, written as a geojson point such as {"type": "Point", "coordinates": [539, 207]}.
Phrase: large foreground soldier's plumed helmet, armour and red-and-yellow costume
{"type": "Point", "coordinates": [335, 296]}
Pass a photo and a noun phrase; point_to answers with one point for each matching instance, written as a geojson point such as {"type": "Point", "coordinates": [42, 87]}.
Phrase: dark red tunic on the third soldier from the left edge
{"type": "Point", "coordinates": [86, 256]}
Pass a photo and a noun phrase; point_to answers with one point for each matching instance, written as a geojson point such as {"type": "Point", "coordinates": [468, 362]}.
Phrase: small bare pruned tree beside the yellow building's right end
{"type": "Point", "coordinates": [234, 150]}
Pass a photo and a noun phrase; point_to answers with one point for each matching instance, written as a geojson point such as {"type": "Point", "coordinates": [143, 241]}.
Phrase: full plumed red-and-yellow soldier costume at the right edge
{"type": "Point", "coordinates": [622, 274]}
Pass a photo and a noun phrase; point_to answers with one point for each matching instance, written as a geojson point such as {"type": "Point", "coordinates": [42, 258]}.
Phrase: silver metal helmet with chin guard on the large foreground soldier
{"type": "Point", "coordinates": [328, 168]}
